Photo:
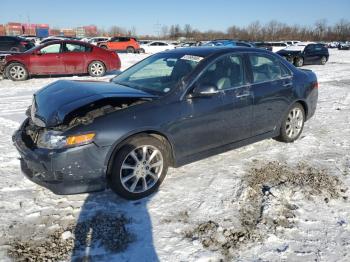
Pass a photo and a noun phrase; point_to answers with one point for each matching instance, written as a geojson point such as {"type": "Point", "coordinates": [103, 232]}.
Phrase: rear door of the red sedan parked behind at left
{"type": "Point", "coordinates": [74, 58]}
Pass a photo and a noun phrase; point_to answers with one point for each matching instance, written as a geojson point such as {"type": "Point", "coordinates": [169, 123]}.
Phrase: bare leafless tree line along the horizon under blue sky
{"type": "Point", "coordinates": [255, 31]}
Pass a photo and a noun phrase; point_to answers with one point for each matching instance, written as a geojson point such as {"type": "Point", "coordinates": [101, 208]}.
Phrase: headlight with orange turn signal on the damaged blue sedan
{"type": "Point", "coordinates": [55, 140]}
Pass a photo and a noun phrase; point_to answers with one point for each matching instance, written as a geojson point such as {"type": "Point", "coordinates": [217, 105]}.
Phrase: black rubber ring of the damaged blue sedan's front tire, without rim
{"type": "Point", "coordinates": [114, 176]}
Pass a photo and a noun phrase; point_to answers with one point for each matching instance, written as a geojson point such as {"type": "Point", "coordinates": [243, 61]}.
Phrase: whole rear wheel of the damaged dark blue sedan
{"type": "Point", "coordinates": [292, 124]}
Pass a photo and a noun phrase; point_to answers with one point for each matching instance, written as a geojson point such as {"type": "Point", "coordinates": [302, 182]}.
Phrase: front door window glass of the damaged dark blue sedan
{"type": "Point", "coordinates": [227, 72]}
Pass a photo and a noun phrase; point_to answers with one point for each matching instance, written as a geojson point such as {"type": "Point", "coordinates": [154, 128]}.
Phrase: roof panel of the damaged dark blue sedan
{"type": "Point", "coordinates": [207, 51]}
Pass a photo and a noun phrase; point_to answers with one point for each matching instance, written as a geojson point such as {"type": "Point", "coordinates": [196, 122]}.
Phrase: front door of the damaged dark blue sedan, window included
{"type": "Point", "coordinates": [212, 121]}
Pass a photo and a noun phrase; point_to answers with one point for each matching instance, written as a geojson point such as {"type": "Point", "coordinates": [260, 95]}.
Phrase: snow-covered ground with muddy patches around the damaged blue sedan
{"type": "Point", "coordinates": [268, 201]}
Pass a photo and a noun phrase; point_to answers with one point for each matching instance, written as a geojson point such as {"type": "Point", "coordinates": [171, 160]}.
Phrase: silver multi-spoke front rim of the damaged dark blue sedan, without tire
{"type": "Point", "coordinates": [141, 169]}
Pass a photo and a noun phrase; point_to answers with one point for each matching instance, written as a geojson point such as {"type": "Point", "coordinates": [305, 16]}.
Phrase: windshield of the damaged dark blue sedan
{"type": "Point", "coordinates": [160, 73]}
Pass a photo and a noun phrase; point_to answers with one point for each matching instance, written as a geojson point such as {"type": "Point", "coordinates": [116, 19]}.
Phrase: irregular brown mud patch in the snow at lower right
{"type": "Point", "coordinates": [265, 204]}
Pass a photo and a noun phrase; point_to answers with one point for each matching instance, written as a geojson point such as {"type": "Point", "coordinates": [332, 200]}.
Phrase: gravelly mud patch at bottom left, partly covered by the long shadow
{"type": "Point", "coordinates": [105, 231]}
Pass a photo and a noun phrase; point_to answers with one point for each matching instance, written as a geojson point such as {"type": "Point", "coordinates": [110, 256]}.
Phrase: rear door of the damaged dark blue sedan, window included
{"type": "Point", "coordinates": [272, 89]}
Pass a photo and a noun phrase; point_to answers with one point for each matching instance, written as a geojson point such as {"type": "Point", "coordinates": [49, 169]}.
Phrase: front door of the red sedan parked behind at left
{"type": "Point", "coordinates": [47, 60]}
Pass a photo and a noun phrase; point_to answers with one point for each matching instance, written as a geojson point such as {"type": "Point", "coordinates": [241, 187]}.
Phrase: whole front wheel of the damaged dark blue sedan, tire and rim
{"type": "Point", "coordinates": [132, 175]}
